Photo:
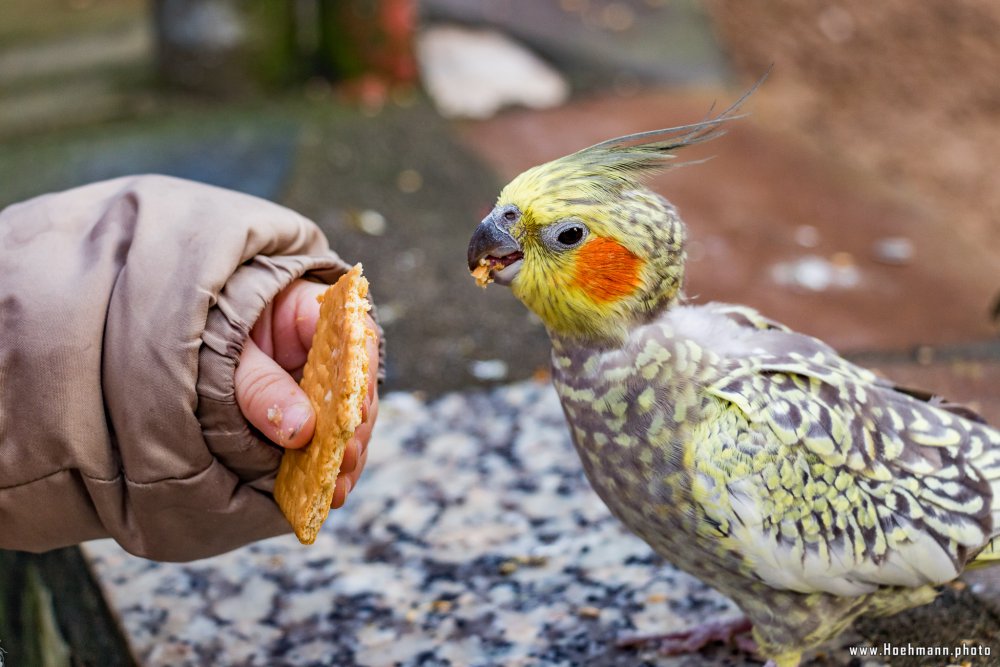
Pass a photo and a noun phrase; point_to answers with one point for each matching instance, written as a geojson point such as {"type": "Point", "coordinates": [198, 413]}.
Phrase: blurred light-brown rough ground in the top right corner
{"type": "Point", "coordinates": [905, 93]}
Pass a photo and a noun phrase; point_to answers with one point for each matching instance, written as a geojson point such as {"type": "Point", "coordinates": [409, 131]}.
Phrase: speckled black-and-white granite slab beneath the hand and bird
{"type": "Point", "coordinates": [473, 539]}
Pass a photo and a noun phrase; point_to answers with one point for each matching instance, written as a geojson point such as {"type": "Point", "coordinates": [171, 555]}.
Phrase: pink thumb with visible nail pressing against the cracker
{"type": "Point", "coordinates": [271, 400]}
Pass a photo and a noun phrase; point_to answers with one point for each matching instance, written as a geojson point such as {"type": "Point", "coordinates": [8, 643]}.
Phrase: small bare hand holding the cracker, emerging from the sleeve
{"type": "Point", "coordinates": [267, 389]}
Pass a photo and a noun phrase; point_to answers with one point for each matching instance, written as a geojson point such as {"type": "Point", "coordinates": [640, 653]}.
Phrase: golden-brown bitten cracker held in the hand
{"type": "Point", "coordinates": [335, 378]}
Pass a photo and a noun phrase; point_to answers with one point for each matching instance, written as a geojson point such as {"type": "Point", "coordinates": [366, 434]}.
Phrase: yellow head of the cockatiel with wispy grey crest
{"type": "Point", "coordinates": [583, 243]}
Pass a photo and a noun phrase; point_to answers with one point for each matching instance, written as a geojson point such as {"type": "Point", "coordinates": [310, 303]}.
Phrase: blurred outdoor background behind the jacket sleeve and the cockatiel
{"type": "Point", "coordinates": [856, 201]}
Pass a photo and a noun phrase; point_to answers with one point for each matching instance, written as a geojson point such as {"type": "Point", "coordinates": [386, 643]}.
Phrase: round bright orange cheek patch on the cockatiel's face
{"type": "Point", "coordinates": [606, 270]}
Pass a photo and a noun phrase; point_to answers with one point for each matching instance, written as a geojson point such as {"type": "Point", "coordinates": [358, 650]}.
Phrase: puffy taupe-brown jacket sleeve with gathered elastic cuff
{"type": "Point", "coordinates": [123, 310]}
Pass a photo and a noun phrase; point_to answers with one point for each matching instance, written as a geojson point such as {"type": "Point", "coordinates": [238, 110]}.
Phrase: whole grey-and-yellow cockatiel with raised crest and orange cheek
{"type": "Point", "coordinates": [807, 489]}
